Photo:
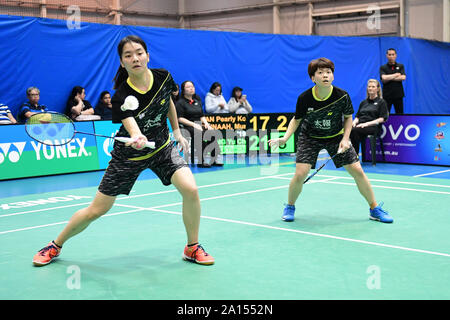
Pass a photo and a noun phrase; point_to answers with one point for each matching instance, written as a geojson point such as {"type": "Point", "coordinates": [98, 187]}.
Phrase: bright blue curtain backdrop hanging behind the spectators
{"type": "Point", "coordinates": [272, 69]}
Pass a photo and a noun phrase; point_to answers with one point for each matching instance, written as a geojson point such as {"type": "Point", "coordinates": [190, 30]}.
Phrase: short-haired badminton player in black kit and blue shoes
{"type": "Point", "coordinates": [325, 115]}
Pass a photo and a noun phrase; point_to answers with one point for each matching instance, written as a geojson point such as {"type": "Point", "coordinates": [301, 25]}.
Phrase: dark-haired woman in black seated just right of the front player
{"type": "Point", "coordinates": [194, 124]}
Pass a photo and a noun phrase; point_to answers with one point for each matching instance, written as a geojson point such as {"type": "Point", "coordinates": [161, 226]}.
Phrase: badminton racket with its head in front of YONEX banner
{"type": "Point", "coordinates": [56, 129]}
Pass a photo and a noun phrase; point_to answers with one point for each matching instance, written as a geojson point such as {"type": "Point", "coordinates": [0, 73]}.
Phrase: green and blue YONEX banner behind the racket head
{"type": "Point", "coordinates": [21, 156]}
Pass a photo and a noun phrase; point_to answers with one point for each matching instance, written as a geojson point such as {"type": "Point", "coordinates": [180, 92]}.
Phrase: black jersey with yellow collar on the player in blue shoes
{"type": "Point", "coordinates": [323, 118]}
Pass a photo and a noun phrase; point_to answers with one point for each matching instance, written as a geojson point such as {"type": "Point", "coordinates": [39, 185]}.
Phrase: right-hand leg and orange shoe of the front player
{"type": "Point", "coordinates": [184, 181]}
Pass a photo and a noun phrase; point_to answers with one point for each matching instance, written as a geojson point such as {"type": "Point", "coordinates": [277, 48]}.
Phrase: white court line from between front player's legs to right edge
{"type": "Point", "coordinates": [303, 232]}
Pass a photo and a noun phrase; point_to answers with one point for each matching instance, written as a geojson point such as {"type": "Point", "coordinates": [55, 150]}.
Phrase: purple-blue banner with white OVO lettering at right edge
{"type": "Point", "coordinates": [415, 139]}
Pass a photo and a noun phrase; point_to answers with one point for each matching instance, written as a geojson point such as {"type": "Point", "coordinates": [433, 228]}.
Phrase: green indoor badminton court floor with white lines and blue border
{"type": "Point", "coordinates": [331, 251]}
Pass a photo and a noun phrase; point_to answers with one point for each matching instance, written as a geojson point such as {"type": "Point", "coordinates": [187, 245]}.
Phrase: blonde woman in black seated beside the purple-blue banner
{"type": "Point", "coordinates": [371, 113]}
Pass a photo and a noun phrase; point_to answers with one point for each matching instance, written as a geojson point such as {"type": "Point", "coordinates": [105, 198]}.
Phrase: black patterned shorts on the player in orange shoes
{"type": "Point", "coordinates": [121, 174]}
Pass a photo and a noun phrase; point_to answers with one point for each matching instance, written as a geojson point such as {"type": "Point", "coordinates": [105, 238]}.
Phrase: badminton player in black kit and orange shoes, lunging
{"type": "Point", "coordinates": [144, 120]}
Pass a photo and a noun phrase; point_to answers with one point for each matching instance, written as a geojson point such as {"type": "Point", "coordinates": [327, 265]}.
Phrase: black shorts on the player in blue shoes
{"type": "Point", "coordinates": [308, 149]}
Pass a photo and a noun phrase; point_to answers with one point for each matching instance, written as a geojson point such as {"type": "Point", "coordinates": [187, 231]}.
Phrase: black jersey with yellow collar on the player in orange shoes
{"type": "Point", "coordinates": [151, 114]}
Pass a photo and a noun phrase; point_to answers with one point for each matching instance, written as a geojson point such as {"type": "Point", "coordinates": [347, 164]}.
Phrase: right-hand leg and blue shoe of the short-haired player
{"type": "Point", "coordinates": [365, 188]}
